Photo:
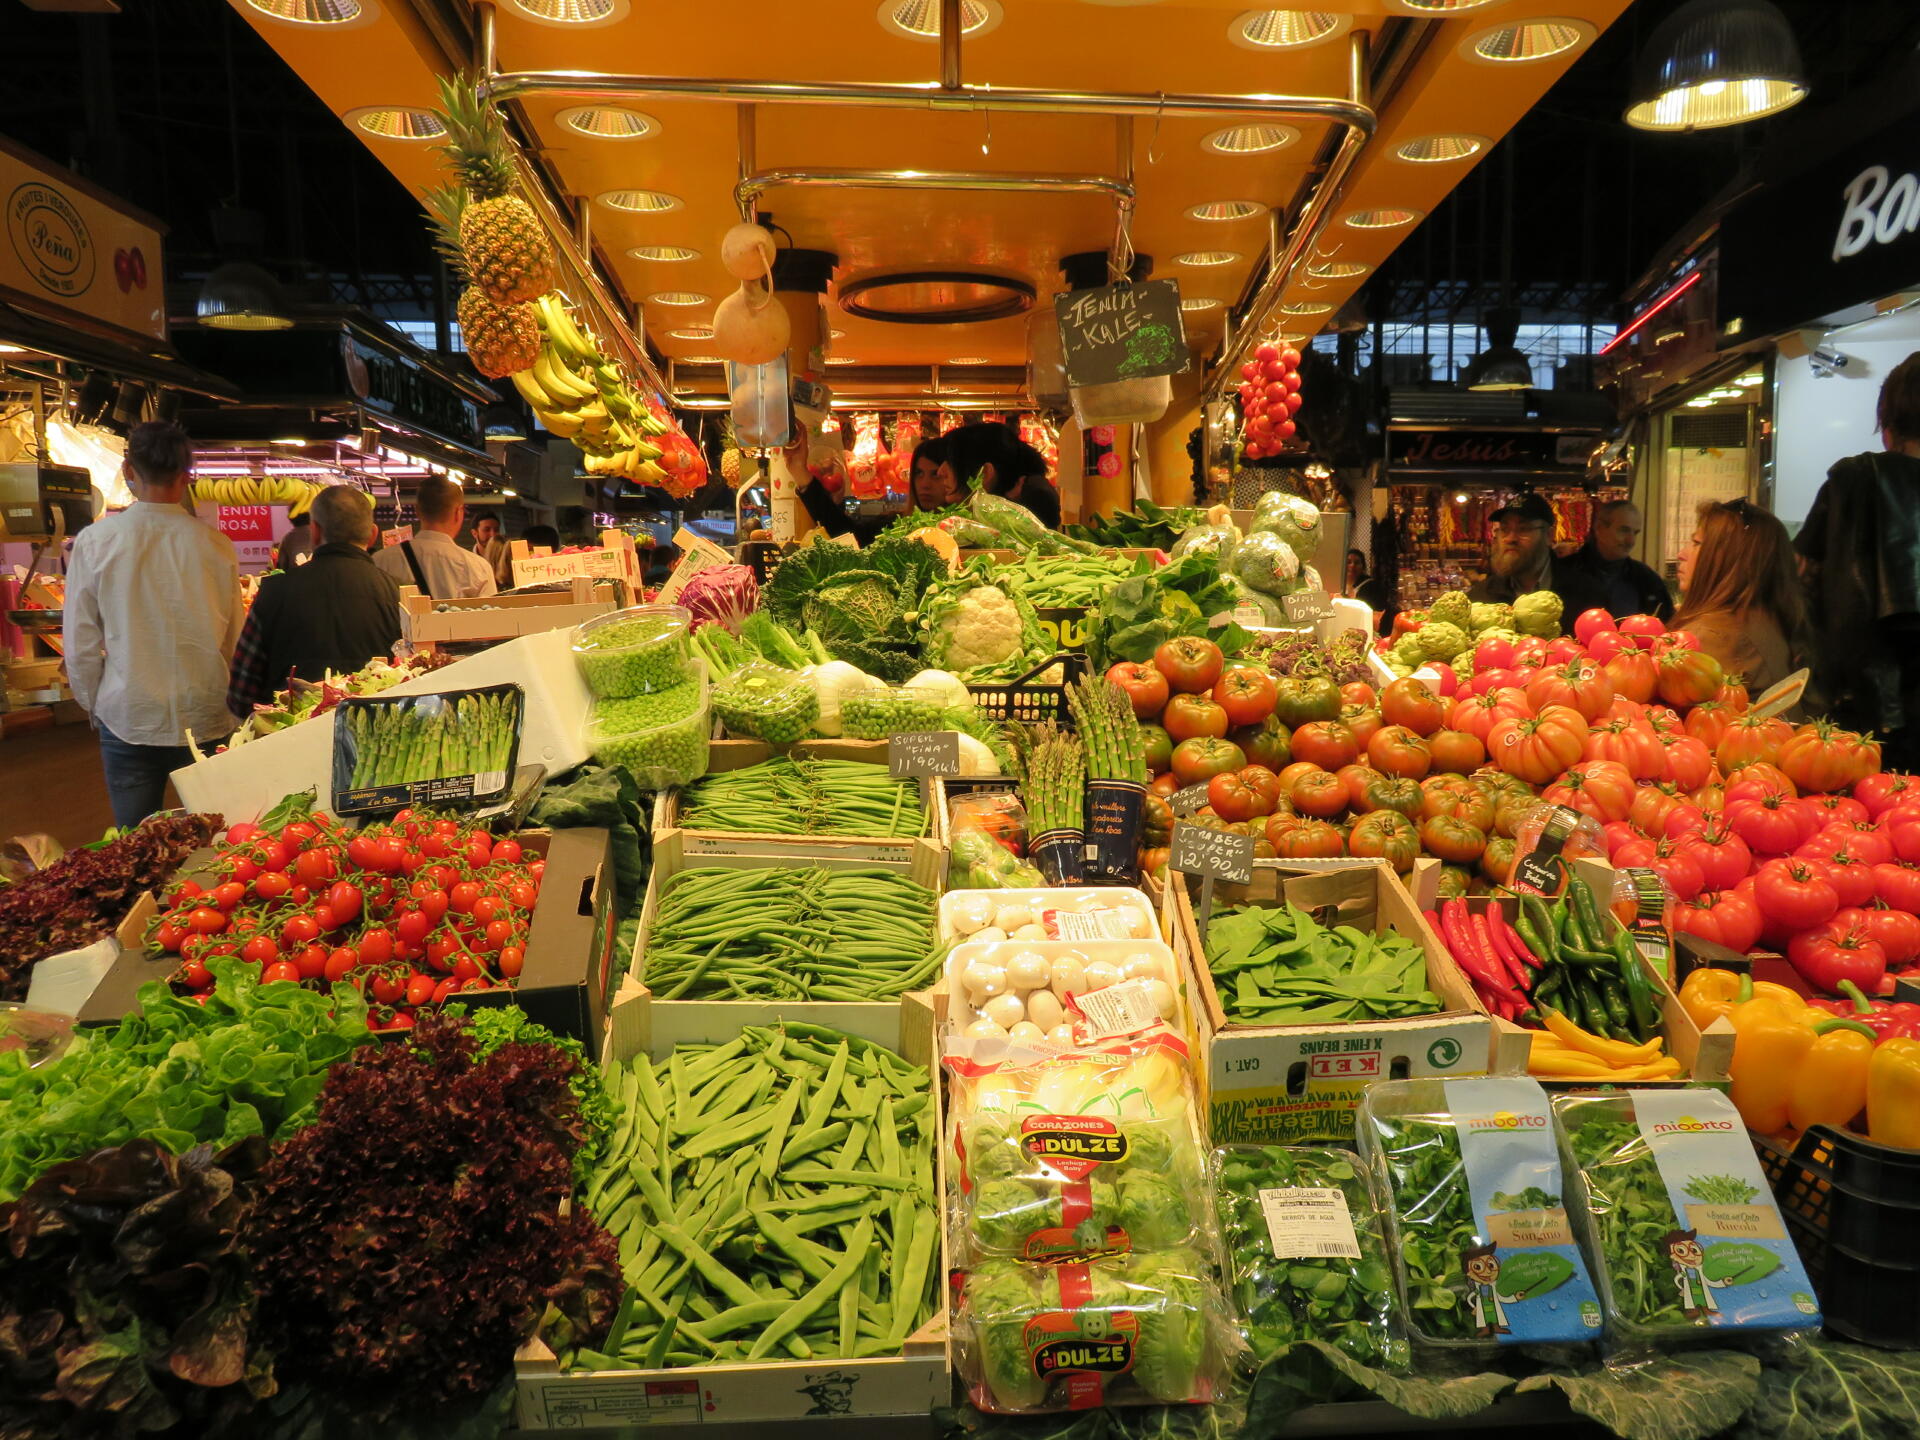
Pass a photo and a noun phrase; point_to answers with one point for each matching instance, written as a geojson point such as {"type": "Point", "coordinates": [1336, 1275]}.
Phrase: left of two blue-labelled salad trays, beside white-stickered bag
{"type": "Point", "coordinates": [1477, 1214]}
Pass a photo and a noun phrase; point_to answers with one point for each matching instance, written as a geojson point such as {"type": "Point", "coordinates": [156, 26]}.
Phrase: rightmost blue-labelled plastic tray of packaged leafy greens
{"type": "Point", "coordinates": [1681, 1218]}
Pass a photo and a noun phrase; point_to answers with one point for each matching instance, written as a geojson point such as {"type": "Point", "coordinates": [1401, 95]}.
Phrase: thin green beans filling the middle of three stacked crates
{"type": "Point", "coordinates": [792, 934]}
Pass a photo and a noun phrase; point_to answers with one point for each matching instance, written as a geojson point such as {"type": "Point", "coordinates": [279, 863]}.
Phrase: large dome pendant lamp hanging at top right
{"type": "Point", "coordinates": [1716, 62]}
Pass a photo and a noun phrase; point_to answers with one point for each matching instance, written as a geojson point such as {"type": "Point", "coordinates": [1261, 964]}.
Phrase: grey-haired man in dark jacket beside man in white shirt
{"type": "Point", "coordinates": [333, 613]}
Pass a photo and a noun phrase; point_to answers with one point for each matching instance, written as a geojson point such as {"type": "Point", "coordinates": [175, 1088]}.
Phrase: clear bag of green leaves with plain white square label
{"type": "Point", "coordinates": [1307, 1259]}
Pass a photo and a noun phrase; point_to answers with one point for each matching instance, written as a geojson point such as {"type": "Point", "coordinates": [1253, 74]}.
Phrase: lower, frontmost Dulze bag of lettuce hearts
{"type": "Point", "coordinates": [1116, 1332]}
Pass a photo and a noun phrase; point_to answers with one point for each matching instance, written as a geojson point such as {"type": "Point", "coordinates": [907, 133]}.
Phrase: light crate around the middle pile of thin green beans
{"type": "Point", "coordinates": [640, 1022]}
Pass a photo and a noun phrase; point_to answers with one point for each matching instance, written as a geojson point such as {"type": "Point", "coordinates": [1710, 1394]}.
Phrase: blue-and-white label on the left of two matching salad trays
{"type": "Point", "coordinates": [1525, 1276]}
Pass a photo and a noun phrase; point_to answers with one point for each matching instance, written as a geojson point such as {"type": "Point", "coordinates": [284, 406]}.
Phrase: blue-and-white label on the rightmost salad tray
{"type": "Point", "coordinates": [1731, 1257]}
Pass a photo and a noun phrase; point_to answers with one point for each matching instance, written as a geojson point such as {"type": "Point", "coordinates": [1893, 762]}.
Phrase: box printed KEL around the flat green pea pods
{"type": "Point", "coordinates": [1303, 1084]}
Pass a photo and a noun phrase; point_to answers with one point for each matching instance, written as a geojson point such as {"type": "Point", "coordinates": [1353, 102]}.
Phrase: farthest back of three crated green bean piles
{"type": "Point", "coordinates": [805, 798]}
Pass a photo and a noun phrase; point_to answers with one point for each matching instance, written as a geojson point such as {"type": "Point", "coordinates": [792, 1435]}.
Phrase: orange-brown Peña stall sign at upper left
{"type": "Point", "coordinates": [78, 251]}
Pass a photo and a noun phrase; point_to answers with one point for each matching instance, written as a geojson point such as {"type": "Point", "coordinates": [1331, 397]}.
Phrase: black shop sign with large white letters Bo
{"type": "Point", "coordinates": [1842, 231]}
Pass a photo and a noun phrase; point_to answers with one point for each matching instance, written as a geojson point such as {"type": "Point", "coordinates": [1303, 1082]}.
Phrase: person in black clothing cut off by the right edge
{"type": "Point", "coordinates": [1861, 546]}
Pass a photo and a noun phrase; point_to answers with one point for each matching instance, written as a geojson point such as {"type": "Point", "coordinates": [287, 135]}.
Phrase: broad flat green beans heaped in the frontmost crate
{"type": "Point", "coordinates": [773, 1197]}
